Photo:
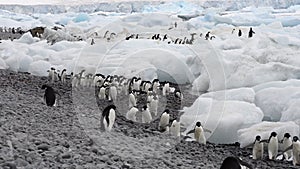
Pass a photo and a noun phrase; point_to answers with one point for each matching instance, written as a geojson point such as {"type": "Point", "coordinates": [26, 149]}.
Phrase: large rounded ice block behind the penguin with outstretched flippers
{"type": "Point", "coordinates": [224, 118]}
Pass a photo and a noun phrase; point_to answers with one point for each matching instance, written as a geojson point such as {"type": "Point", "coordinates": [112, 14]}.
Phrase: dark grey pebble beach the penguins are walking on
{"type": "Point", "coordinates": [35, 136]}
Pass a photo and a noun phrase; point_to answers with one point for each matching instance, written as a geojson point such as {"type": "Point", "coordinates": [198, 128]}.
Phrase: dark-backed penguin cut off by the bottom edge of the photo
{"type": "Point", "coordinates": [234, 163]}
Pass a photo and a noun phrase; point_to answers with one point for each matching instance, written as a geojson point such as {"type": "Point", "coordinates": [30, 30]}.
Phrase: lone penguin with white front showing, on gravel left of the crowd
{"type": "Point", "coordinates": [108, 118]}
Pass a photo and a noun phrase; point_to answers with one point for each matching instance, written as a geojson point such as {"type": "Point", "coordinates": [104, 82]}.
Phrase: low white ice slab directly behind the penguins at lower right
{"type": "Point", "coordinates": [247, 136]}
